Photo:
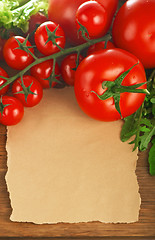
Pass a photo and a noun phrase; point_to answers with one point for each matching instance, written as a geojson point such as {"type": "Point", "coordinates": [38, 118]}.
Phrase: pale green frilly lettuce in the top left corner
{"type": "Point", "coordinates": [17, 13]}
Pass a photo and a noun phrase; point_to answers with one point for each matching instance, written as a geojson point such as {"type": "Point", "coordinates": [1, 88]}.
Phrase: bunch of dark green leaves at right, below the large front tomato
{"type": "Point", "coordinates": [141, 124]}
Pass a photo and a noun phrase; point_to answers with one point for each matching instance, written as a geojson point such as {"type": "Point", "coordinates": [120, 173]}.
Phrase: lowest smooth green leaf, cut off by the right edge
{"type": "Point", "coordinates": [152, 158]}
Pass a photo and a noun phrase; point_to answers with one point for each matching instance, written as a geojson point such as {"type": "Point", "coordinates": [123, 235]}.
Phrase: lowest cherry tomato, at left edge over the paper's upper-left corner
{"type": "Point", "coordinates": [12, 111]}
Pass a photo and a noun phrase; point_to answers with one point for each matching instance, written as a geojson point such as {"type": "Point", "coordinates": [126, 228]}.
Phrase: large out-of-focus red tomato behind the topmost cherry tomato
{"type": "Point", "coordinates": [63, 12]}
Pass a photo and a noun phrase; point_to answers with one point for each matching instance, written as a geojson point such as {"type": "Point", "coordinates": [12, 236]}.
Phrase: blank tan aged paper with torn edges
{"type": "Point", "coordinates": [66, 167]}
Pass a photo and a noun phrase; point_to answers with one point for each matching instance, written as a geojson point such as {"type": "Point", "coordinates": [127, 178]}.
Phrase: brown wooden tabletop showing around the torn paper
{"type": "Point", "coordinates": [144, 227]}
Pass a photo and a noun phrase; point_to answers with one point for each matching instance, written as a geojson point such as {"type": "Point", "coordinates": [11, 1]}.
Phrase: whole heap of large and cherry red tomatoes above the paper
{"type": "Point", "coordinates": [73, 23]}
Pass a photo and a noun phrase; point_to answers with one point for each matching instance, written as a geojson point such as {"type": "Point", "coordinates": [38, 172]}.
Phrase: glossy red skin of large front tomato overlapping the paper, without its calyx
{"type": "Point", "coordinates": [107, 66]}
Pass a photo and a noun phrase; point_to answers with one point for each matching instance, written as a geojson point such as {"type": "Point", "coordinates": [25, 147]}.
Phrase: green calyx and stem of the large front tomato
{"type": "Point", "coordinates": [115, 88]}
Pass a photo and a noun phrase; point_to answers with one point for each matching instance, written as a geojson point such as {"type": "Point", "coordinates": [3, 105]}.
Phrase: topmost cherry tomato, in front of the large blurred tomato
{"type": "Point", "coordinates": [92, 15]}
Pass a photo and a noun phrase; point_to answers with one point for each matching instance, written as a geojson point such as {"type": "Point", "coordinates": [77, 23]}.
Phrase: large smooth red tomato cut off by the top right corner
{"type": "Point", "coordinates": [134, 30]}
